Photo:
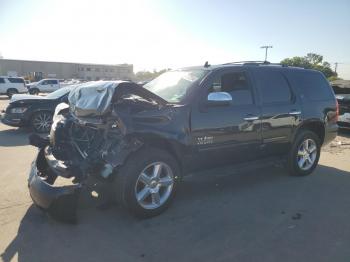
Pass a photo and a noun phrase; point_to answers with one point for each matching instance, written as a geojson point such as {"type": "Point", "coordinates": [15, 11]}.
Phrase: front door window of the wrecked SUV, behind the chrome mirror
{"type": "Point", "coordinates": [236, 84]}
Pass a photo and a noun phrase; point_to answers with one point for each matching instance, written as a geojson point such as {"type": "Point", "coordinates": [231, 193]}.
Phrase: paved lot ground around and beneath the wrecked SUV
{"type": "Point", "coordinates": [264, 215]}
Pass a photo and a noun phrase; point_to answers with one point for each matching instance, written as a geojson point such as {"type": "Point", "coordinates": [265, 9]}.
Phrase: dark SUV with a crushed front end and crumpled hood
{"type": "Point", "coordinates": [142, 140]}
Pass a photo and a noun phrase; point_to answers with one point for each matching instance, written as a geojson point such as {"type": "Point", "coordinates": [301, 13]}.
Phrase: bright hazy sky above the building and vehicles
{"type": "Point", "coordinates": [171, 34]}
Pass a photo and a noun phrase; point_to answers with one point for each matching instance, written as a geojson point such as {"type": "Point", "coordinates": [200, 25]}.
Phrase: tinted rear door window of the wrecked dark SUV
{"type": "Point", "coordinates": [273, 87]}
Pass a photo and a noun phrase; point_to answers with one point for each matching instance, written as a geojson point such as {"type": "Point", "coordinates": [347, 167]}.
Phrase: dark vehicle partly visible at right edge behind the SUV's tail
{"type": "Point", "coordinates": [343, 97]}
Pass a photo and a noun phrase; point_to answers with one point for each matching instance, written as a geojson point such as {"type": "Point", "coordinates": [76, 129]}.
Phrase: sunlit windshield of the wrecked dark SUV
{"type": "Point", "coordinates": [172, 86]}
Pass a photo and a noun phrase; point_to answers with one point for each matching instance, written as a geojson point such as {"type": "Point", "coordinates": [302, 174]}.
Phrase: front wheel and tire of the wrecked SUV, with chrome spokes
{"type": "Point", "coordinates": [154, 196]}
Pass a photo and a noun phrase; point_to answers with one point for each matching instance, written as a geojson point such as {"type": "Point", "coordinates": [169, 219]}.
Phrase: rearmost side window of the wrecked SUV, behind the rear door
{"type": "Point", "coordinates": [312, 84]}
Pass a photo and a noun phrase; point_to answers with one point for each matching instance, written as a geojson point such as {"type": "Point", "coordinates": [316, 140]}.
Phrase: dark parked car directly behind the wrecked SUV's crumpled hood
{"type": "Point", "coordinates": [34, 111]}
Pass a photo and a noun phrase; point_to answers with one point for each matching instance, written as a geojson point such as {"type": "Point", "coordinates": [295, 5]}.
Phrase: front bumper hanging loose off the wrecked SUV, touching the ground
{"type": "Point", "coordinates": [59, 201]}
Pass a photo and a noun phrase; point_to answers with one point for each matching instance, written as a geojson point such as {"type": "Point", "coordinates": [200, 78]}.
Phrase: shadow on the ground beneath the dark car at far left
{"type": "Point", "coordinates": [14, 137]}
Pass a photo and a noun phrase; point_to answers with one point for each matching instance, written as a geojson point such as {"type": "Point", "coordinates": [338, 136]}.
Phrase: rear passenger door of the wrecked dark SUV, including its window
{"type": "Point", "coordinates": [280, 109]}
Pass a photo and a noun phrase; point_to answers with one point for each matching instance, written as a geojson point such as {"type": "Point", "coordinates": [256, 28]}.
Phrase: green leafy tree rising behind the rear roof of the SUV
{"type": "Point", "coordinates": [311, 61]}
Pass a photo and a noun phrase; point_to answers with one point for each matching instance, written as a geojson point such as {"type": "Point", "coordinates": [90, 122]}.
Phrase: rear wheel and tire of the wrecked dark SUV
{"type": "Point", "coordinates": [305, 153]}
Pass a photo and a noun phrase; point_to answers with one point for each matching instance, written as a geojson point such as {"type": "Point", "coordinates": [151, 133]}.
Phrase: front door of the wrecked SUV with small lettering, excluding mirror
{"type": "Point", "coordinates": [225, 134]}
